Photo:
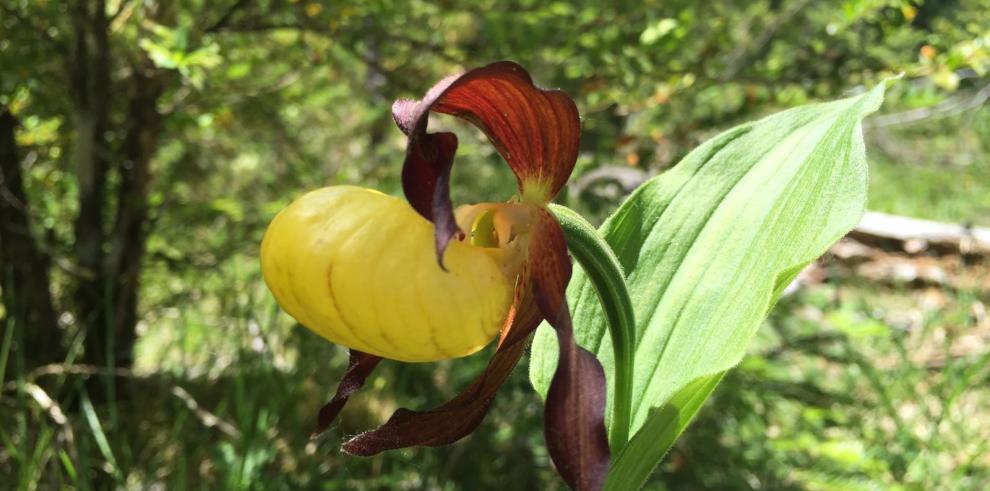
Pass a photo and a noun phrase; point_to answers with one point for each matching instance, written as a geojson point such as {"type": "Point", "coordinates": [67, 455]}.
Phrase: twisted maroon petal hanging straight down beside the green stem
{"type": "Point", "coordinates": [575, 409]}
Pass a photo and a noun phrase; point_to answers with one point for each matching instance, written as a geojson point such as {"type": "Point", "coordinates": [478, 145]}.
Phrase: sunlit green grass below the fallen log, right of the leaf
{"type": "Point", "coordinates": [852, 385]}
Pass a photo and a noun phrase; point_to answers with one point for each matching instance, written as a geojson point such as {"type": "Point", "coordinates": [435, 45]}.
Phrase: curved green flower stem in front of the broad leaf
{"type": "Point", "coordinates": [603, 269]}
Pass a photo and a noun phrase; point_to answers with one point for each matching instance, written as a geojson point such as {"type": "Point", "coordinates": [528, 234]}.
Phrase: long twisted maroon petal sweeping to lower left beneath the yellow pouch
{"type": "Point", "coordinates": [462, 414]}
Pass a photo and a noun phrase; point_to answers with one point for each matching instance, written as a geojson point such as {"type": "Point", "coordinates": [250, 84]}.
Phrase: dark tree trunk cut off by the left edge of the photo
{"type": "Point", "coordinates": [24, 267]}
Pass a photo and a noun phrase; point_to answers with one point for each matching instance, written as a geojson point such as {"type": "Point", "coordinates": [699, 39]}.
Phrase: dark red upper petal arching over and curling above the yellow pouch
{"type": "Point", "coordinates": [536, 131]}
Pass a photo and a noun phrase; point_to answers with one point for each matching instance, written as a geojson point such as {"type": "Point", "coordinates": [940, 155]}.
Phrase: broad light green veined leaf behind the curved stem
{"type": "Point", "coordinates": [707, 248]}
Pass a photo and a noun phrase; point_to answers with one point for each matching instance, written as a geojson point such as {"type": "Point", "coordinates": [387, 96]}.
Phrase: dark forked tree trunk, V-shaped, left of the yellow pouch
{"type": "Point", "coordinates": [110, 254]}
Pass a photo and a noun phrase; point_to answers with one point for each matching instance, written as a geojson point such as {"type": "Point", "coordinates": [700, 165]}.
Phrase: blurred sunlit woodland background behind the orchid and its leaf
{"type": "Point", "coordinates": [146, 144]}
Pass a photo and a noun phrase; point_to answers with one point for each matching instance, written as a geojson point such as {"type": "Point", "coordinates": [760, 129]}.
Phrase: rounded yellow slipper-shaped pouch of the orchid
{"type": "Point", "coordinates": [358, 267]}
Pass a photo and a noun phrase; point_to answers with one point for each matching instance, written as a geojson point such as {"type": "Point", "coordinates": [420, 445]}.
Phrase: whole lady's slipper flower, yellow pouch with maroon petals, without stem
{"type": "Point", "coordinates": [369, 272]}
